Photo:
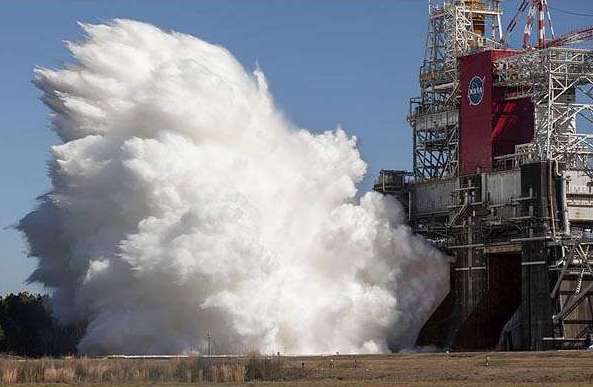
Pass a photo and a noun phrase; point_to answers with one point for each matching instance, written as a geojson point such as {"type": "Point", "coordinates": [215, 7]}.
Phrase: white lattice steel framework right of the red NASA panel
{"type": "Point", "coordinates": [559, 81]}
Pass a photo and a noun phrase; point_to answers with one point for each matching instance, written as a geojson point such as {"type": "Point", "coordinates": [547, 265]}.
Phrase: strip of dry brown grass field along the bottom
{"type": "Point", "coordinates": [555, 368]}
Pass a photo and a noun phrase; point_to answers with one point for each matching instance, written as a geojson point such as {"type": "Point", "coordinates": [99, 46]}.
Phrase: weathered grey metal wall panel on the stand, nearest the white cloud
{"type": "Point", "coordinates": [433, 196]}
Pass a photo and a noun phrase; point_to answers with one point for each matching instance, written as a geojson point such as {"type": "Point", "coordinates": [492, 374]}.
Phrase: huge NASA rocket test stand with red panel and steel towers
{"type": "Point", "coordinates": [503, 182]}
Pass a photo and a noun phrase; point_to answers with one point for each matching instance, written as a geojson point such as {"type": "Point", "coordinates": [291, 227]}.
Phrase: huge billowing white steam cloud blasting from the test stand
{"type": "Point", "coordinates": [183, 202]}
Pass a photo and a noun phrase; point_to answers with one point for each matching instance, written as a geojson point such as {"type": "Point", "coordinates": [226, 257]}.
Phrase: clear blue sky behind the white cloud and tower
{"type": "Point", "coordinates": [327, 61]}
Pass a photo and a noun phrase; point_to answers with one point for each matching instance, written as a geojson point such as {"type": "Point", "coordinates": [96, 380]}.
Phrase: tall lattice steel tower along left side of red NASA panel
{"type": "Point", "coordinates": [456, 28]}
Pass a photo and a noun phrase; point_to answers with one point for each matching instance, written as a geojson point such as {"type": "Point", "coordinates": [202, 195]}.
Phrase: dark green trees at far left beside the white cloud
{"type": "Point", "coordinates": [27, 328]}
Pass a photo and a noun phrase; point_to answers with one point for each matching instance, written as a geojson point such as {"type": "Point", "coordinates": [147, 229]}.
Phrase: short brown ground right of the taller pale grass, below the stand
{"type": "Point", "coordinates": [554, 368]}
